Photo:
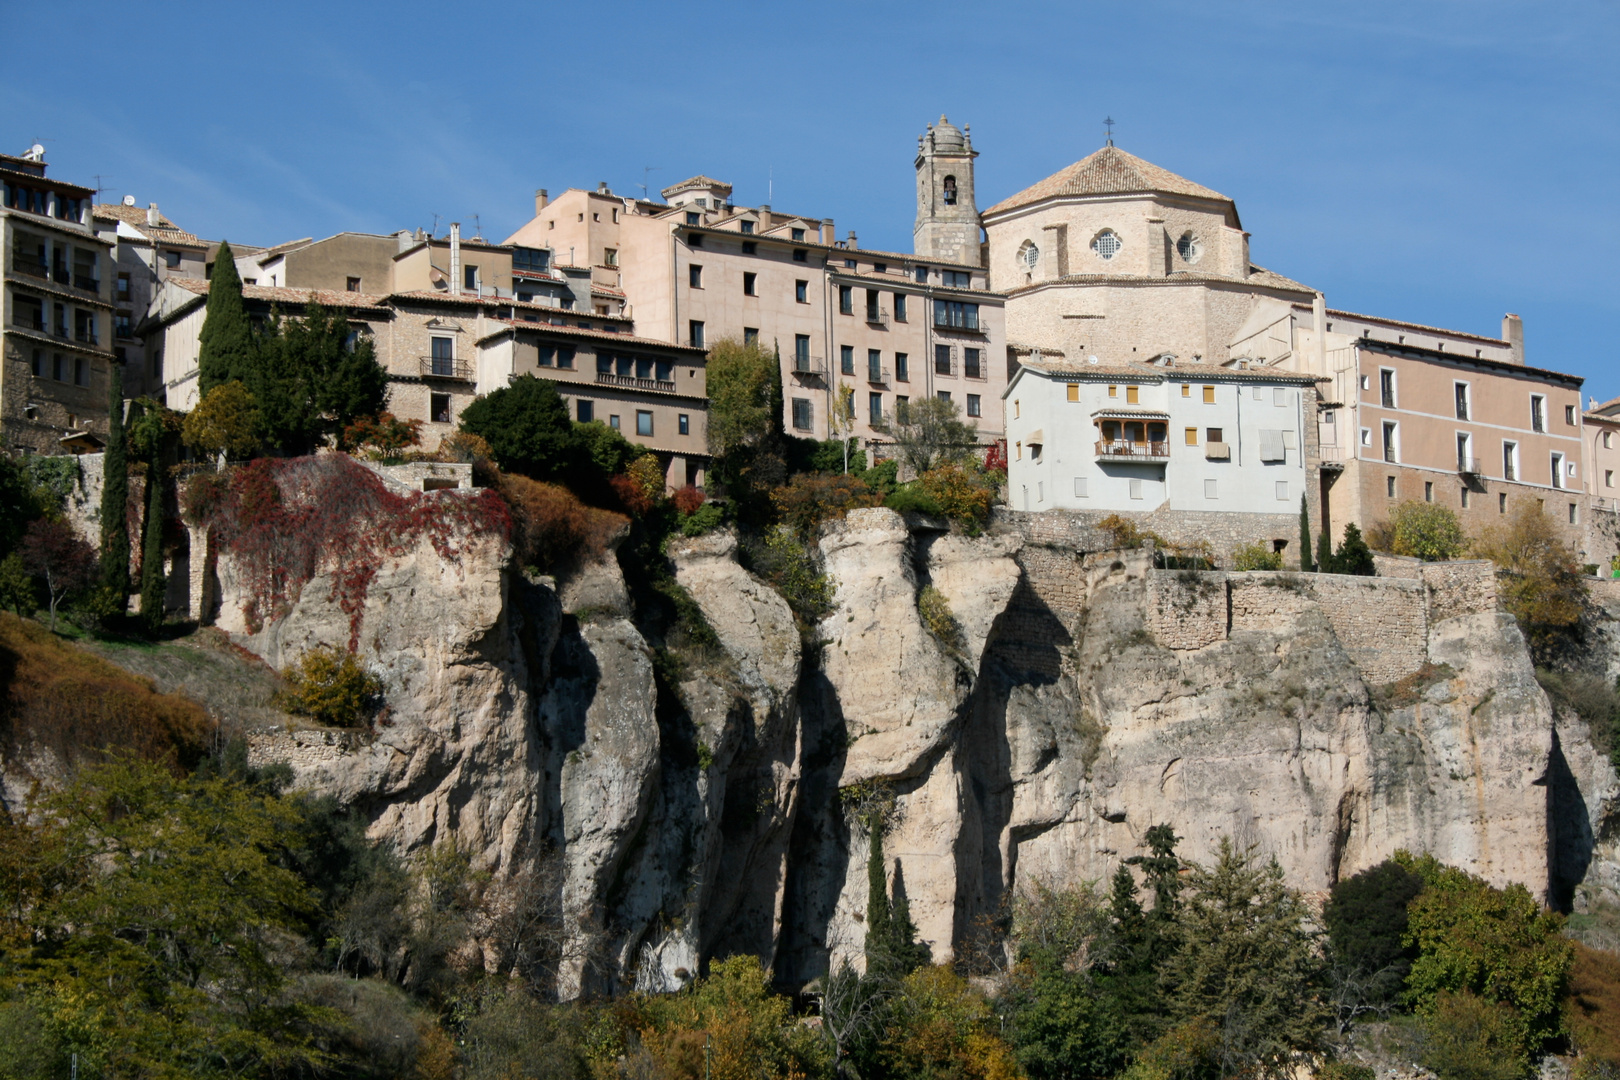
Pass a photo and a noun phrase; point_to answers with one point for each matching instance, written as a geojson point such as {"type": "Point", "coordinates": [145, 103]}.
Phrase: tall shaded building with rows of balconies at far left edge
{"type": "Point", "coordinates": [56, 320]}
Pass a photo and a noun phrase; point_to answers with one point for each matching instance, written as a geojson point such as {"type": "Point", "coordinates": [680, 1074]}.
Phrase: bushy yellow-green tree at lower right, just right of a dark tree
{"type": "Point", "coordinates": [1499, 945]}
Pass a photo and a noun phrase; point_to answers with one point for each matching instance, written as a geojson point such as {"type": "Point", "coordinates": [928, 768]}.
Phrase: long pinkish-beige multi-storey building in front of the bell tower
{"type": "Point", "coordinates": [882, 328]}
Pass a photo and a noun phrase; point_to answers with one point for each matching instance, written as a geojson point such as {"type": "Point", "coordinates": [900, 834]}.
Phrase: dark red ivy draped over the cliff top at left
{"type": "Point", "coordinates": [283, 521]}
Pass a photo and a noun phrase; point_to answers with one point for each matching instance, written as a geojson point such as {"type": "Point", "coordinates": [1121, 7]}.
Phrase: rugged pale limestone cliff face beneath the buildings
{"type": "Point", "coordinates": [701, 807]}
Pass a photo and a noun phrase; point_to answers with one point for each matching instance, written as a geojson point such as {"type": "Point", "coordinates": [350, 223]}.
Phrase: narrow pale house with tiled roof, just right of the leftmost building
{"type": "Point", "coordinates": [148, 250]}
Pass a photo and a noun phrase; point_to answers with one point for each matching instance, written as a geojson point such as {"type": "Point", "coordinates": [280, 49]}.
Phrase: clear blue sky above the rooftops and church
{"type": "Point", "coordinates": [1431, 161]}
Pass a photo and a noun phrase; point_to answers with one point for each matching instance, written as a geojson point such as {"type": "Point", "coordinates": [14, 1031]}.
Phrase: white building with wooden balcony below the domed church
{"type": "Point", "coordinates": [1157, 436]}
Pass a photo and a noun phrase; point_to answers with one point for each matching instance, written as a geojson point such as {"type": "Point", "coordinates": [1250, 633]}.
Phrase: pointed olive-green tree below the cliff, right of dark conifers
{"type": "Point", "coordinates": [1248, 964]}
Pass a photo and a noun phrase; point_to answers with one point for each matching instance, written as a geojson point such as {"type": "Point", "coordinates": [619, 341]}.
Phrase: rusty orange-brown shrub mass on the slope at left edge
{"type": "Point", "coordinates": [77, 705]}
